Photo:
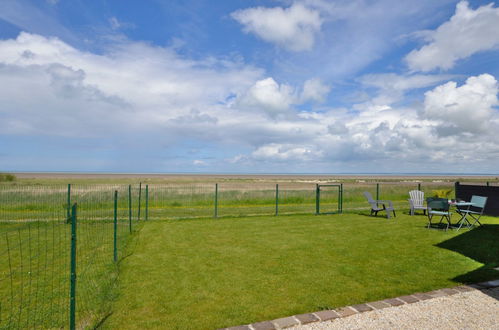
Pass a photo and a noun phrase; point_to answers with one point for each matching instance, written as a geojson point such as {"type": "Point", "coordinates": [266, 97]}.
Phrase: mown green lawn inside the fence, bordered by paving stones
{"type": "Point", "coordinates": [213, 273]}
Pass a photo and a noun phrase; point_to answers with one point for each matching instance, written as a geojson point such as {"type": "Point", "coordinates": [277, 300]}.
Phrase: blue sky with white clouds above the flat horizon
{"type": "Point", "coordinates": [249, 86]}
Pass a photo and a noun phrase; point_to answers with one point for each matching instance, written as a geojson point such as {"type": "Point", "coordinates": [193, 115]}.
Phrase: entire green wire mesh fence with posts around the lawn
{"type": "Point", "coordinates": [39, 222]}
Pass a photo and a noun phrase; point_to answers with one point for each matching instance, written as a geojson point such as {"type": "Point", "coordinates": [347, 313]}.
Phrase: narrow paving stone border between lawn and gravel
{"type": "Point", "coordinates": [326, 315]}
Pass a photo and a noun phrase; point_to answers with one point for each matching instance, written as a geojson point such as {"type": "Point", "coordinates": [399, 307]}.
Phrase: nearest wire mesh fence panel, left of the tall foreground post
{"type": "Point", "coordinates": [33, 274]}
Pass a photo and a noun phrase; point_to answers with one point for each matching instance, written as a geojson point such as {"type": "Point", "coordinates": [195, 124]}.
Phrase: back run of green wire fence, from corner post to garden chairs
{"type": "Point", "coordinates": [177, 201]}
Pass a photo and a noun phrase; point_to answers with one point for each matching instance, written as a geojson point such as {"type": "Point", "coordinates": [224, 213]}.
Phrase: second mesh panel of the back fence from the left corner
{"type": "Point", "coordinates": [238, 199]}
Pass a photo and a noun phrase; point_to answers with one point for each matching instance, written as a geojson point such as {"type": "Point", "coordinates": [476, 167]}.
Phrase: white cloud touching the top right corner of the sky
{"type": "Point", "coordinates": [466, 33]}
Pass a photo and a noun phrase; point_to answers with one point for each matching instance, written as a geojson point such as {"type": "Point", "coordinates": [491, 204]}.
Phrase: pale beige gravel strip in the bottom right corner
{"type": "Point", "coordinates": [465, 310]}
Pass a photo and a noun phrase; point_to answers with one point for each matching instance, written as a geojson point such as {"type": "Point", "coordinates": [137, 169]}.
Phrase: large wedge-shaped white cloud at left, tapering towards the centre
{"type": "Point", "coordinates": [80, 93]}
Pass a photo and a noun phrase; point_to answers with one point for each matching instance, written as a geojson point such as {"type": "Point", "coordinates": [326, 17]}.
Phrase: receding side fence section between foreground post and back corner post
{"type": "Point", "coordinates": [104, 227]}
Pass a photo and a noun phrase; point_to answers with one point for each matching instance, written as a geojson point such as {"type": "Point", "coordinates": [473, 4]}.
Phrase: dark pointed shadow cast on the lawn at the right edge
{"type": "Point", "coordinates": [482, 245]}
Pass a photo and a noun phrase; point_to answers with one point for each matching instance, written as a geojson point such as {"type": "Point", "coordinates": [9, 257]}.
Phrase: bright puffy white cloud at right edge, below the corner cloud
{"type": "Point", "coordinates": [468, 108]}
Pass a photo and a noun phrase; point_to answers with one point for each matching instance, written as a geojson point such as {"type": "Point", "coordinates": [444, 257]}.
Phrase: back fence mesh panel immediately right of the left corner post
{"type": "Point", "coordinates": [176, 201]}
